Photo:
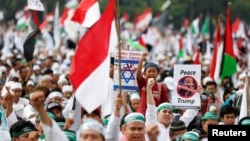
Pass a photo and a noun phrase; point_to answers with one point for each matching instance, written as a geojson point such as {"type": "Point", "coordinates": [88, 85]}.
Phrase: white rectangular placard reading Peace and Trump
{"type": "Point", "coordinates": [186, 83]}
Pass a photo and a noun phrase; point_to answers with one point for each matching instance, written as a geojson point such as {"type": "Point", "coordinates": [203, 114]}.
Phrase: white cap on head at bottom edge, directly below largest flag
{"type": "Point", "coordinates": [93, 125]}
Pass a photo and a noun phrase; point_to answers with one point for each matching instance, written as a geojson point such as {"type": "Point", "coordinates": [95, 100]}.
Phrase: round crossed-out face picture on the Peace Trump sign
{"type": "Point", "coordinates": [187, 87]}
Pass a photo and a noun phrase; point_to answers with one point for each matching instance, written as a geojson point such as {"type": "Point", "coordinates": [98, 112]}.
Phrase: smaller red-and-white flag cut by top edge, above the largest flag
{"type": "Point", "coordinates": [87, 13]}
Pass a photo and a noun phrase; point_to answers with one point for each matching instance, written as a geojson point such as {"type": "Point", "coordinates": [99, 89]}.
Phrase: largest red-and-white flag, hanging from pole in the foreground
{"type": "Point", "coordinates": [89, 72]}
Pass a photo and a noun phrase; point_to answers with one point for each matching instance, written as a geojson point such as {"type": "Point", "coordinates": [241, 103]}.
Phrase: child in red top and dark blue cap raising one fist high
{"type": "Point", "coordinates": [159, 90]}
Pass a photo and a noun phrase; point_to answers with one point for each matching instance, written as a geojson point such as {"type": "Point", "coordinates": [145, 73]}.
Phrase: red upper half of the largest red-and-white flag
{"type": "Point", "coordinates": [92, 49]}
